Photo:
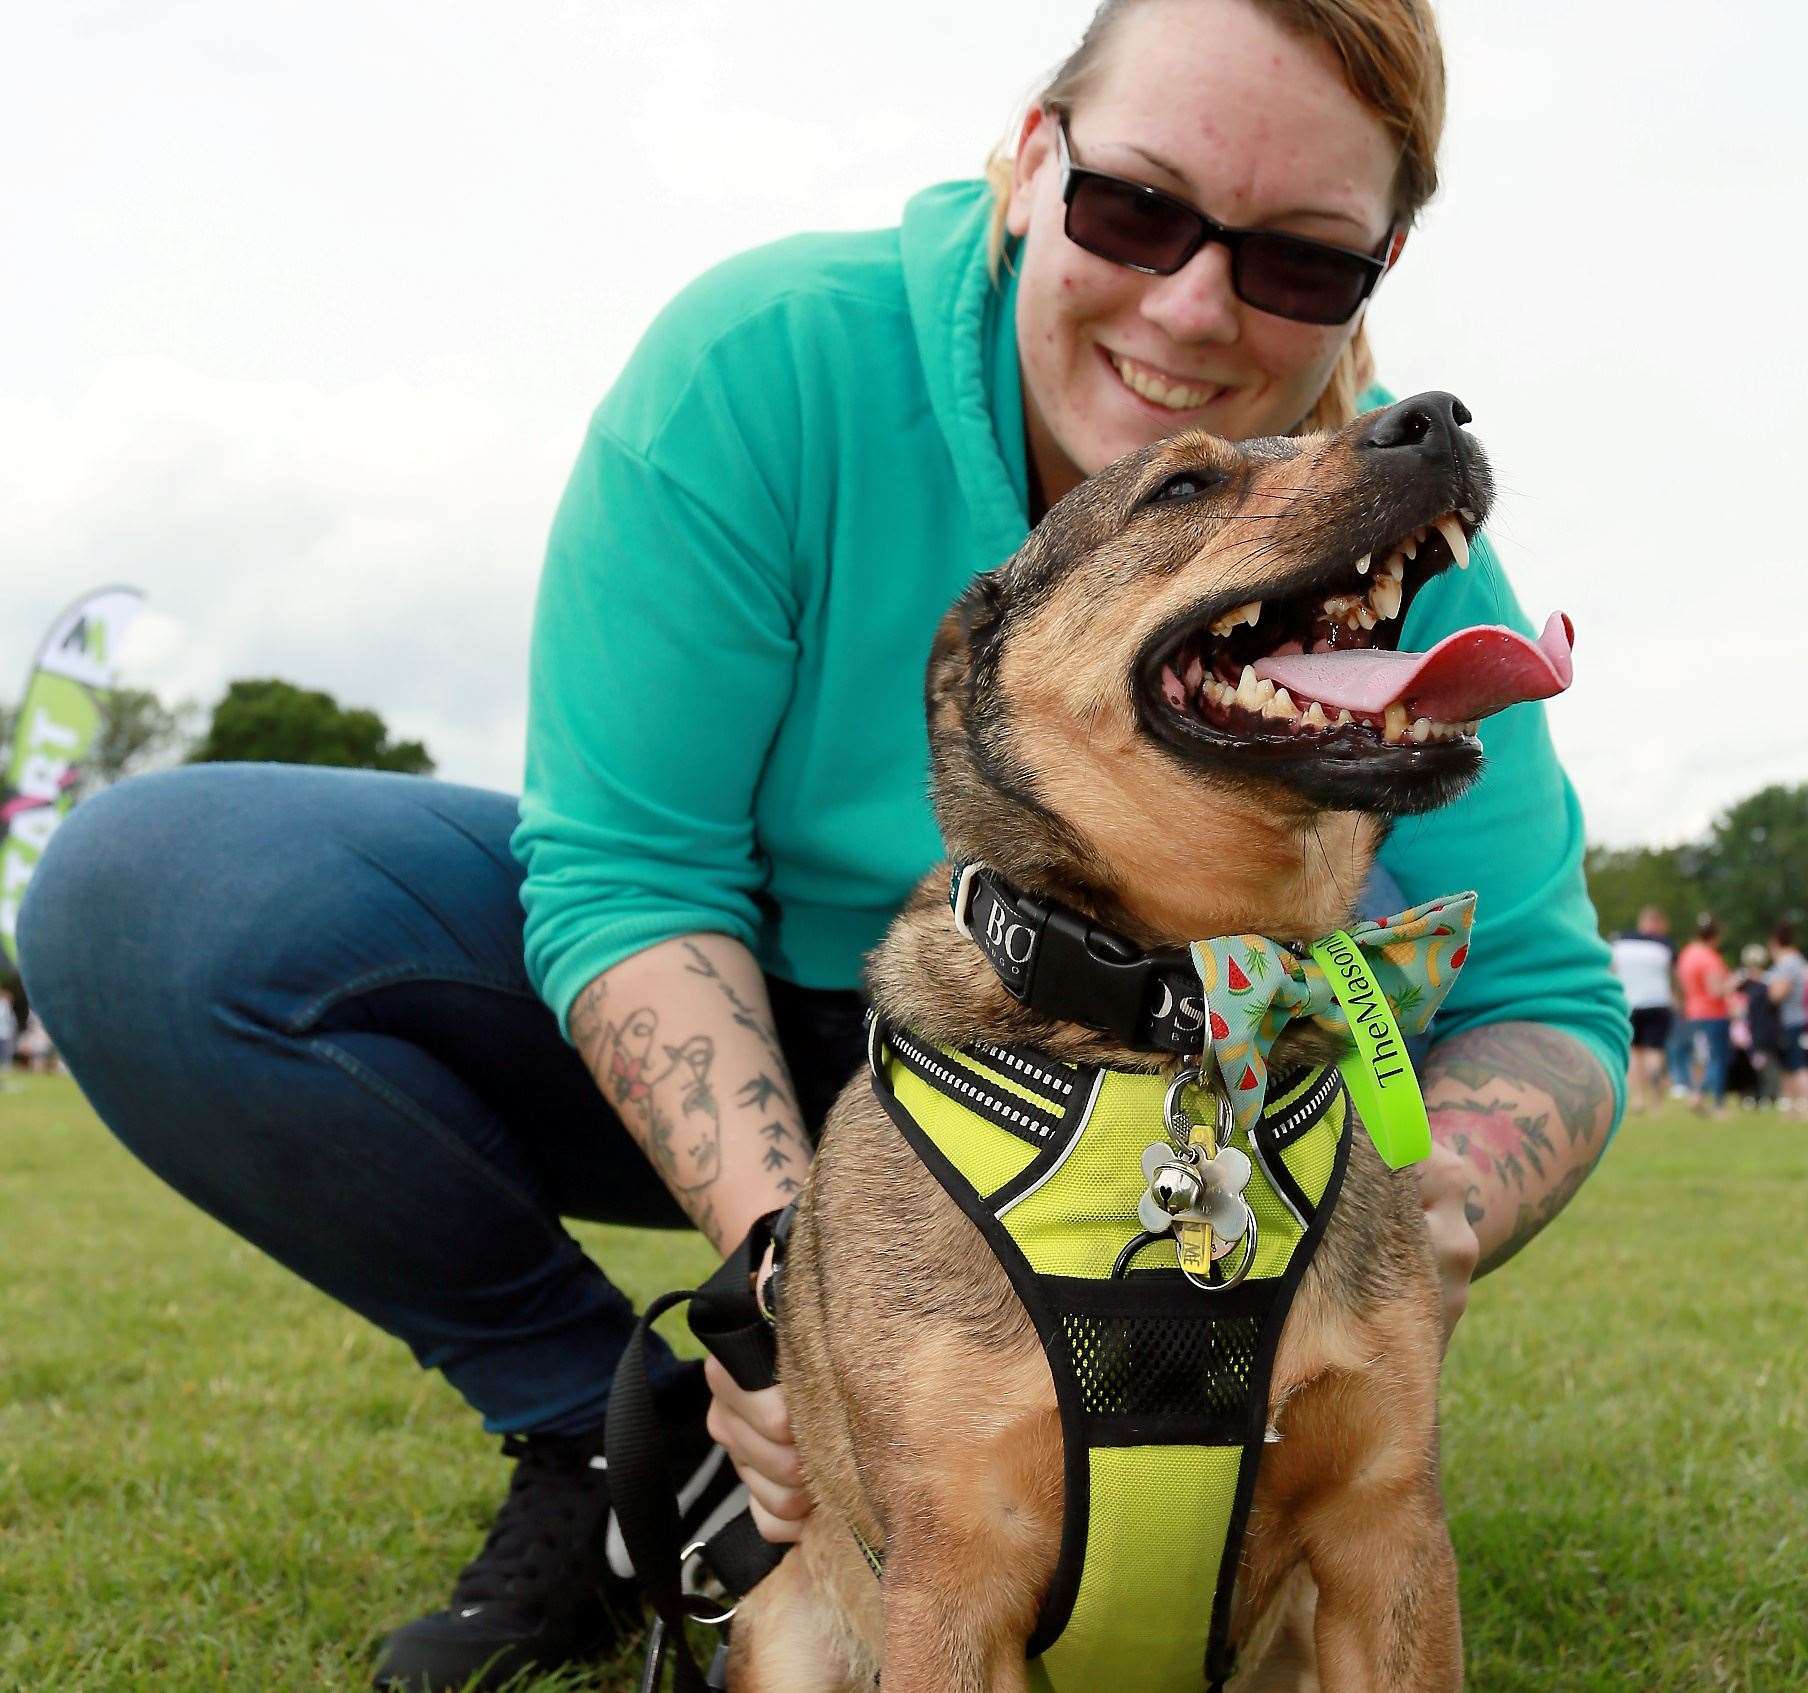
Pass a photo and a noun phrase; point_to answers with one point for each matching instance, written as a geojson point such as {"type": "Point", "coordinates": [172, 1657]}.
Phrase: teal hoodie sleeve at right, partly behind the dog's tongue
{"type": "Point", "coordinates": [1518, 840]}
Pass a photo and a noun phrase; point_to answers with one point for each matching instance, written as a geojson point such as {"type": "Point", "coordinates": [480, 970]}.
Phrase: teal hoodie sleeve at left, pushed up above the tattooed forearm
{"type": "Point", "coordinates": [663, 650]}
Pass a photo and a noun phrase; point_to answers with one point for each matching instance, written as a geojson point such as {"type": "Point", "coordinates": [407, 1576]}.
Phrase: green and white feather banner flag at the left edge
{"type": "Point", "coordinates": [59, 721]}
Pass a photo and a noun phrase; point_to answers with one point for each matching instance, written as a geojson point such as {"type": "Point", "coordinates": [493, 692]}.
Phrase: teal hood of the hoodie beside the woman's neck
{"type": "Point", "coordinates": [966, 337]}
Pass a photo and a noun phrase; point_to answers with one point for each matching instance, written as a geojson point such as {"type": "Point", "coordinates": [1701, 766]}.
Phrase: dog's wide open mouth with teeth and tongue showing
{"type": "Point", "coordinates": [1315, 674]}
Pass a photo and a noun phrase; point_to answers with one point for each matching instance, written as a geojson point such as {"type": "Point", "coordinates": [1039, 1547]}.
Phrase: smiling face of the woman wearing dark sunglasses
{"type": "Point", "coordinates": [1212, 102]}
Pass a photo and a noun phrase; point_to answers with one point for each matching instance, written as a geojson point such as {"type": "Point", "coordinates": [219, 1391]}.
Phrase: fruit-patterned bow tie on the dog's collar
{"type": "Point", "coordinates": [1257, 987]}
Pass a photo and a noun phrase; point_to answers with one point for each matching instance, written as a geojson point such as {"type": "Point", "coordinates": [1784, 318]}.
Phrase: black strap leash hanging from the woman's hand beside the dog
{"type": "Point", "coordinates": [739, 1332]}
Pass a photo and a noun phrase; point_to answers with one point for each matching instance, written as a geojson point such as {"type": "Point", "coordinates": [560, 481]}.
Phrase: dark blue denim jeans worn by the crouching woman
{"type": "Point", "coordinates": [299, 998]}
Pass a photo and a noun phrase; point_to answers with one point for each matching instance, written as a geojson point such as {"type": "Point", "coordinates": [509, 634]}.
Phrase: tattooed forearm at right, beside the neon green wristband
{"type": "Point", "coordinates": [1520, 1117]}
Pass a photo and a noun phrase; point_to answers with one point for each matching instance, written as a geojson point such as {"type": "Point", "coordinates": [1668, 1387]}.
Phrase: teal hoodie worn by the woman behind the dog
{"type": "Point", "coordinates": [807, 459]}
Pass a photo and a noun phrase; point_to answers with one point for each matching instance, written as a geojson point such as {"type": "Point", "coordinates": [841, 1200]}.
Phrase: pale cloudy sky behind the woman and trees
{"type": "Point", "coordinates": [306, 308]}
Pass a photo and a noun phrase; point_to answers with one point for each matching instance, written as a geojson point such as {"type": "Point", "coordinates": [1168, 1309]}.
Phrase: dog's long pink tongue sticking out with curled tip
{"type": "Point", "coordinates": [1465, 677]}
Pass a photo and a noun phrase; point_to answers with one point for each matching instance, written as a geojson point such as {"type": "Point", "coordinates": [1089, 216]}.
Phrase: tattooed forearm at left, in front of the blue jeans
{"type": "Point", "coordinates": [683, 1045]}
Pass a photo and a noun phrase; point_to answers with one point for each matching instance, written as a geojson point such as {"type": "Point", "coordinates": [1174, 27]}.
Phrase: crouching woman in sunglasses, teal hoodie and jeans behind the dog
{"type": "Point", "coordinates": [807, 459]}
